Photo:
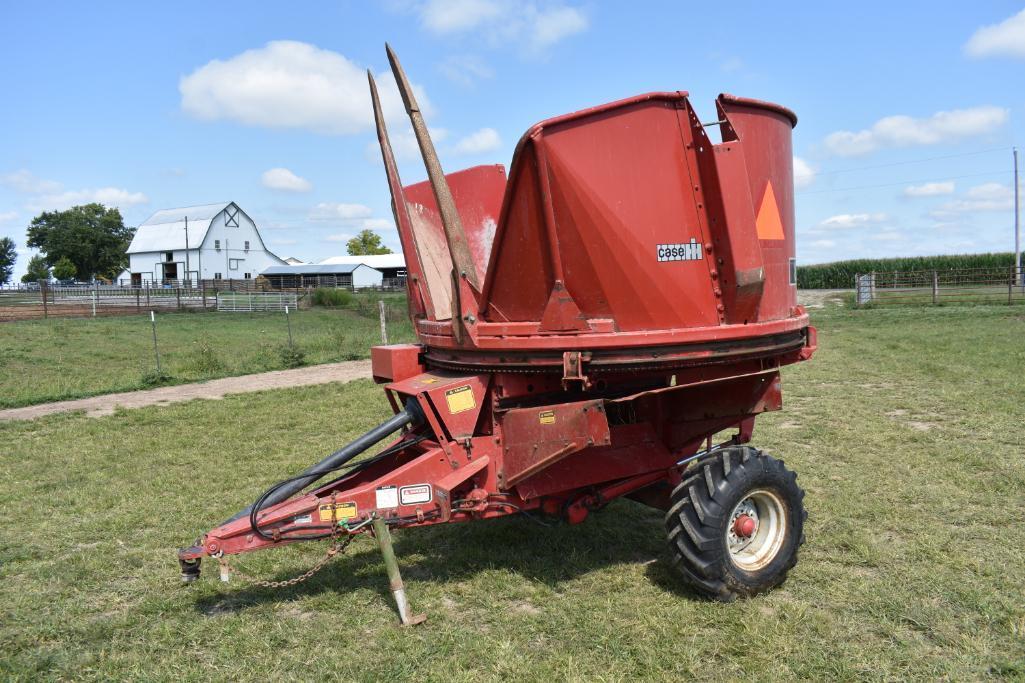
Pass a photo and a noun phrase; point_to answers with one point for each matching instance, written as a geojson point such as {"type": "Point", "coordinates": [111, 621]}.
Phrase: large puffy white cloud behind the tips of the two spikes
{"type": "Point", "coordinates": [291, 85]}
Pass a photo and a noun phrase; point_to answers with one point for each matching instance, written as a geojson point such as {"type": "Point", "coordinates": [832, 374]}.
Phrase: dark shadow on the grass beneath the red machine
{"type": "Point", "coordinates": [626, 533]}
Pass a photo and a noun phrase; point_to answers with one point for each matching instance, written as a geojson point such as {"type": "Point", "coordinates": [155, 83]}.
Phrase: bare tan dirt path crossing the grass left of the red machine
{"type": "Point", "coordinates": [215, 389]}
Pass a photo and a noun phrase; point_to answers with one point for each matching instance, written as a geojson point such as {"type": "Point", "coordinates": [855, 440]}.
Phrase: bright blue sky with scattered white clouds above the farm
{"type": "Point", "coordinates": [908, 111]}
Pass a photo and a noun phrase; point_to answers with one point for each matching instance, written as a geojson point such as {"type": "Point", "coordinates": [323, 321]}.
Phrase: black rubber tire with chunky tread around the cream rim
{"type": "Point", "coordinates": [700, 515]}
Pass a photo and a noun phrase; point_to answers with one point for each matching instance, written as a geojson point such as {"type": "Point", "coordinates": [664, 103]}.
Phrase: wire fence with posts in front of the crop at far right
{"type": "Point", "coordinates": [975, 286]}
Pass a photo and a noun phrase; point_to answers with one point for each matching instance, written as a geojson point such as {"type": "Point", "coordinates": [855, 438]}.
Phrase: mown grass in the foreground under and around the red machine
{"type": "Point", "coordinates": [907, 431]}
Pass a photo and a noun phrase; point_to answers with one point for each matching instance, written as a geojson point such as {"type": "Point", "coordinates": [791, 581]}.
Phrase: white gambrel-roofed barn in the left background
{"type": "Point", "coordinates": [211, 243]}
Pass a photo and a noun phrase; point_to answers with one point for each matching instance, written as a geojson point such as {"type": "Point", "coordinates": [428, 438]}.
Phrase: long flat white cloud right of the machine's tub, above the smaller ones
{"type": "Point", "coordinates": [909, 132]}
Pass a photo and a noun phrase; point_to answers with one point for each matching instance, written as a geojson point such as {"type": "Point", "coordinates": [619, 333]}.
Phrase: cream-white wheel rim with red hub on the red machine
{"type": "Point", "coordinates": [755, 546]}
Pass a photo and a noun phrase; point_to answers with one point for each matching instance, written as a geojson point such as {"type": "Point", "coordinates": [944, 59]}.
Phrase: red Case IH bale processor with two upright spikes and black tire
{"type": "Point", "coordinates": [587, 327]}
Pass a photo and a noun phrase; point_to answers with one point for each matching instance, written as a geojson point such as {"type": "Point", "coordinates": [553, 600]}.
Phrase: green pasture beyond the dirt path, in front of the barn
{"type": "Point", "coordinates": [51, 360]}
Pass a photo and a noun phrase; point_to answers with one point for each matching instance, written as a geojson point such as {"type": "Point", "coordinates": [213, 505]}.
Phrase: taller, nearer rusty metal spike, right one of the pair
{"type": "Point", "coordinates": [455, 234]}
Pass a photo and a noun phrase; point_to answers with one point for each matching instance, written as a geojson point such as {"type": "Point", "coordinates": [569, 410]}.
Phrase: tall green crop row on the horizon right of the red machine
{"type": "Point", "coordinates": [841, 275]}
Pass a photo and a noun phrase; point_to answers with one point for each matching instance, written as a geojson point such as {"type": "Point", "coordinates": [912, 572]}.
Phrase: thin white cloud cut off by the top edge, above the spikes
{"type": "Point", "coordinates": [536, 26]}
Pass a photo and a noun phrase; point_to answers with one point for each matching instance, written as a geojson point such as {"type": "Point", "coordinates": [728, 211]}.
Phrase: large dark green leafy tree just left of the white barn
{"type": "Point", "coordinates": [93, 237]}
